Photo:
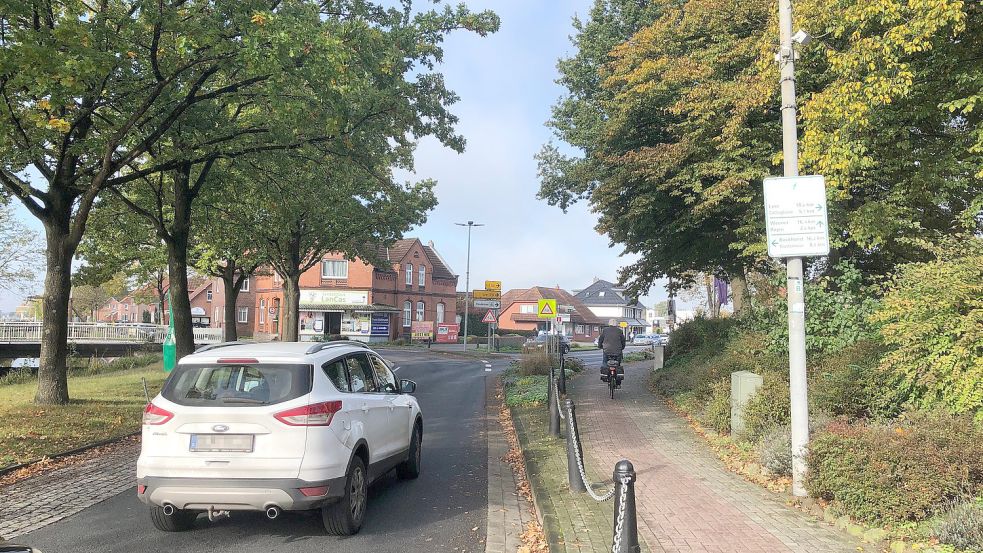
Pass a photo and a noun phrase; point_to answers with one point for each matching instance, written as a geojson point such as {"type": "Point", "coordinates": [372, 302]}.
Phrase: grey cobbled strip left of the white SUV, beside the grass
{"type": "Point", "coordinates": [56, 494]}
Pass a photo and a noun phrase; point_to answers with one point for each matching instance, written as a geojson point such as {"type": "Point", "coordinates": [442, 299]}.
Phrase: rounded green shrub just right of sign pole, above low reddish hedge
{"type": "Point", "coordinates": [848, 382]}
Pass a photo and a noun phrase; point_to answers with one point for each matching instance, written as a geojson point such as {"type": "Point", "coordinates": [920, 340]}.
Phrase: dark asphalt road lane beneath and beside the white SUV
{"type": "Point", "coordinates": [443, 510]}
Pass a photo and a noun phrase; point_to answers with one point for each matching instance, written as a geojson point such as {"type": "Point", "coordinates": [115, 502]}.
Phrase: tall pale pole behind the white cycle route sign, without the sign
{"type": "Point", "coordinates": [794, 283]}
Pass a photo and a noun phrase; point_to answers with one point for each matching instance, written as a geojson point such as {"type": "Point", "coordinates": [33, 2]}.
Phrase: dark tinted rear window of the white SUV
{"type": "Point", "coordinates": [237, 385]}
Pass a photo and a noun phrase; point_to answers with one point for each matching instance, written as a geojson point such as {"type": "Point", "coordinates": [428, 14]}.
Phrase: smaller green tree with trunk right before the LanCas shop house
{"type": "Point", "coordinates": [298, 210]}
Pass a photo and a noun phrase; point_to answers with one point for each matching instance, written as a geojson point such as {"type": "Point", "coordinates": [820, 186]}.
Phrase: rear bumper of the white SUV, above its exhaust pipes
{"type": "Point", "coordinates": [237, 494]}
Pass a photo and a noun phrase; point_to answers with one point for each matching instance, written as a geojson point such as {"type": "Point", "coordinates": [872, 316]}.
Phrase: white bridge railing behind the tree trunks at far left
{"type": "Point", "coordinates": [19, 332]}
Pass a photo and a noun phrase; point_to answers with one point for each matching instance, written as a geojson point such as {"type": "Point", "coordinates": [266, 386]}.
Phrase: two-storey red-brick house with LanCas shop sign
{"type": "Point", "coordinates": [362, 301]}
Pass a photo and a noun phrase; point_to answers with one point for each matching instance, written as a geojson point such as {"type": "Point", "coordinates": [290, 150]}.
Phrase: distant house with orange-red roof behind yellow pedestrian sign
{"type": "Point", "coordinates": [519, 312]}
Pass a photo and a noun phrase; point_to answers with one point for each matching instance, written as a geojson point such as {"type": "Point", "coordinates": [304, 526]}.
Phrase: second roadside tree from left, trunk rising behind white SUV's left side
{"type": "Point", "coordinates": [347, 76]}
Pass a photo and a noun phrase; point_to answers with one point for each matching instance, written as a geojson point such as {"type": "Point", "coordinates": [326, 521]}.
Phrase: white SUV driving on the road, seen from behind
{"type": "Point", "coordinates": [276, 426]}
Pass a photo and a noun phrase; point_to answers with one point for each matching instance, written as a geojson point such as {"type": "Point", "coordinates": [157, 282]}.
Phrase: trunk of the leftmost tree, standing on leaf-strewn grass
{"type": "Point", "coordinates": [53, 368]}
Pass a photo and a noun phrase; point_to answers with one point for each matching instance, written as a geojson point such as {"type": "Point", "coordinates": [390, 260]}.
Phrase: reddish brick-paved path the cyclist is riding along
{"type": "Point", "coordinates": [686, 499]}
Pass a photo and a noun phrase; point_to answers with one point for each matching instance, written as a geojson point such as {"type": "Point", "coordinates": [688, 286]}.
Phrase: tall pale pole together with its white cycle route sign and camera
{"type": "Point", "coordinates": [795, 213]}
